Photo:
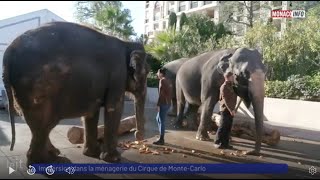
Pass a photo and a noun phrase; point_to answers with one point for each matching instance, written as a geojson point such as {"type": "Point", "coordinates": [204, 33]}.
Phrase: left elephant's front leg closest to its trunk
{"type": "Point", "coordinates": [113, 111]}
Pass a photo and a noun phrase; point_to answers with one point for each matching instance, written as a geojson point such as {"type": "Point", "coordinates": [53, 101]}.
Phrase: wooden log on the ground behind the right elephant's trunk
{"type": "Point", "coordinates": [245, 128]}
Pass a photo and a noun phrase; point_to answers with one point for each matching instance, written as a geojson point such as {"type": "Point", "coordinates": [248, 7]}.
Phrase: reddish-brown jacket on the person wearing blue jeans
{"type": "Point", "coordinates": [165, 92]}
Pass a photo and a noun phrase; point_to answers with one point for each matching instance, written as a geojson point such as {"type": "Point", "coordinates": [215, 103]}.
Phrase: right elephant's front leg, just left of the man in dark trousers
{"type": "Point", "coordinates": [206, 112]}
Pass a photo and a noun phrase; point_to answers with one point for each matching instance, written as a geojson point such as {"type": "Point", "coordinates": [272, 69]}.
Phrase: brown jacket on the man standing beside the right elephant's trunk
{"type": "Point", "coordinates": [228, 98]}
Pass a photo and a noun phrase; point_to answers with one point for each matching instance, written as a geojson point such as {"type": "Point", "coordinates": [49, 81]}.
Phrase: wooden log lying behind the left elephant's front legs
{"type": "Point", "coordinates": [76, 134]}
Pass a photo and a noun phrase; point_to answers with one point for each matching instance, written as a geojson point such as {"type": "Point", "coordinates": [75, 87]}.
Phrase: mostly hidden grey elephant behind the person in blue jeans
{"type": "Point", "coordinates": [171, 72]}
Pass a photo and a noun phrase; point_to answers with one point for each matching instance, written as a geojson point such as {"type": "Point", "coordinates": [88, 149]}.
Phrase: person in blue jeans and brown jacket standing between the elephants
{"type": "Point", "coordinates": [163, 105]}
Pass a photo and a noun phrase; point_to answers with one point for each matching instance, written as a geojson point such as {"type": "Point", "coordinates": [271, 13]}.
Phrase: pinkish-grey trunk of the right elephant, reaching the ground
{"type": "Point", "coordinates": [256, 91]}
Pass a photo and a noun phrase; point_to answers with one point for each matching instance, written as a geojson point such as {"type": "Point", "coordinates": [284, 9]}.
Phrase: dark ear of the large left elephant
{"type": "Point", "coordinates": [138, 63]}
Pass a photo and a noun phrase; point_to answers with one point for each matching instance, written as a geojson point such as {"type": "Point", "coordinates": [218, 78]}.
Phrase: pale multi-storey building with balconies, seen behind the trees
{"type": "Point", "coordinates": [157, 13]}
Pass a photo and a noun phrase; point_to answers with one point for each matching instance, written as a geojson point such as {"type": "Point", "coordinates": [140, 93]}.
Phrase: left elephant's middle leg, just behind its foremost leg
{"type": "Point", "coordinates": [91, 147]}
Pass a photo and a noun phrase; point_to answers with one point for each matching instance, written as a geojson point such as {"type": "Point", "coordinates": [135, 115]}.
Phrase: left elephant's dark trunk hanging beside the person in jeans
{"type": "Point", "coordinates": [139, 103]}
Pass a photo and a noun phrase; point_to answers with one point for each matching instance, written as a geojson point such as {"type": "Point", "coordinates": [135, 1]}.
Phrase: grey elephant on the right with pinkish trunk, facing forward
{"type": "Point", "coordinates": [198, 82]}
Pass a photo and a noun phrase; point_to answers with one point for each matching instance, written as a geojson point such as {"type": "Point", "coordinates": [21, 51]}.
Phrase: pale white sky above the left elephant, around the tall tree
{"type": "Point", "coordinates": [65, 9]}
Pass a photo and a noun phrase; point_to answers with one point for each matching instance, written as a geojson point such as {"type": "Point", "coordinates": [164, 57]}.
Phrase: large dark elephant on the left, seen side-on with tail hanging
{"type": "Point", "coordinates": [66, 70]}
